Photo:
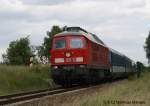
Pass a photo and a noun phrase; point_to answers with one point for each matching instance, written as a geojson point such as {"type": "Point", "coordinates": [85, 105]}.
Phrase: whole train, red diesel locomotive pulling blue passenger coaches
{"type": "Point", "coordinates": [78, 56]}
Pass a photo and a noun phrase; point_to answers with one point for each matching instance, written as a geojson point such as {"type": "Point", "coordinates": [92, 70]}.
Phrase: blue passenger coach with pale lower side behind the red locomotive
{"type": "Point", "coordinates": [120, 64]}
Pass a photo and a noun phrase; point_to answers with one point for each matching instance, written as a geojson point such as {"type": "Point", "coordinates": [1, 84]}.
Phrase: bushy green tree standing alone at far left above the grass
{"type": "Point", "coordinates": [18, 52]}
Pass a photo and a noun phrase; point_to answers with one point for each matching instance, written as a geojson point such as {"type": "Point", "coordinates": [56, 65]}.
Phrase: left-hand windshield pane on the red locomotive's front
{"type": "Point", "coordinates": [59, 43]}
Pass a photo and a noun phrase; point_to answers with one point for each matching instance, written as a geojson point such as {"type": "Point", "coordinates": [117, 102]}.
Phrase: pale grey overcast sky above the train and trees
{"type": "Point", "coordinates": [122, 24]}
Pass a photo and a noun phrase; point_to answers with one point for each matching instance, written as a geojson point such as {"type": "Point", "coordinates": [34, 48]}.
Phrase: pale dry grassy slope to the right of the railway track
{"type": "Point", "coordinates": [131, 92]}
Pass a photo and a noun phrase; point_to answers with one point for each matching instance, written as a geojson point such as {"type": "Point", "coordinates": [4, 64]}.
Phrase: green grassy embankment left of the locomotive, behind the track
{"type": "Point", "coordinates": [14, 79]}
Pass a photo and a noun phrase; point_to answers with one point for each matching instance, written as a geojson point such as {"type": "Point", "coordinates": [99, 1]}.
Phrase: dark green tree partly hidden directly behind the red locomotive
{"type": "Point", "coordinates": [46, 46]}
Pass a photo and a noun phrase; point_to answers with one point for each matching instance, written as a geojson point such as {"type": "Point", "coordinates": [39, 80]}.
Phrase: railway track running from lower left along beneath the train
{"type": "Point", "coordinates": [20, 97]}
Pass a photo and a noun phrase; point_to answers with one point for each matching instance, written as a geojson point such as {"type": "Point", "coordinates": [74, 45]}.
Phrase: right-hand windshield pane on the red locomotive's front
{"type": "Point", "coordinates": [76, 43]}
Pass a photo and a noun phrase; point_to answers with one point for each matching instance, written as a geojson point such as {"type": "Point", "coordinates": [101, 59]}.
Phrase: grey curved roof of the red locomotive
{"type": "Point", "coordinates": [79, 31]}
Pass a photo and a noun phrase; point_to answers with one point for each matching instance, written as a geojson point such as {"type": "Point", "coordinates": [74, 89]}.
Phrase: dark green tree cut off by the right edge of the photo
{"type": "Point", "coordinates": [147, 47]}
